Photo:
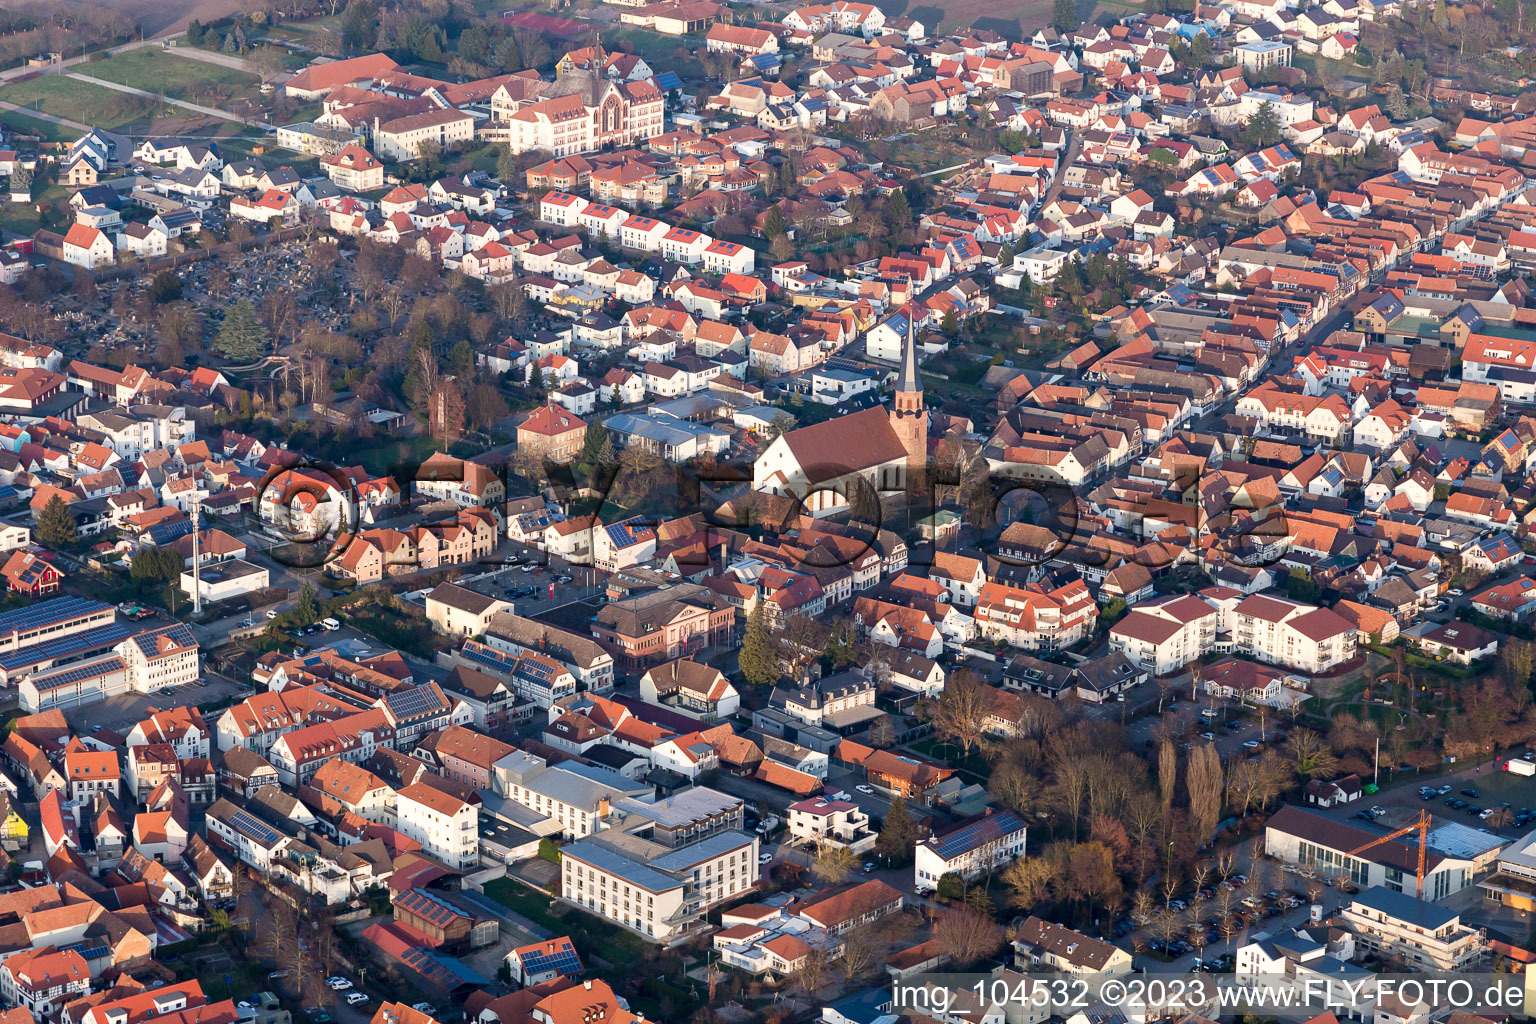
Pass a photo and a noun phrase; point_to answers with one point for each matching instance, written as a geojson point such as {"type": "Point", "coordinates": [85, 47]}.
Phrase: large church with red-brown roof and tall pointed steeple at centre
{"type": "Point", "coordinates": [879, 446]}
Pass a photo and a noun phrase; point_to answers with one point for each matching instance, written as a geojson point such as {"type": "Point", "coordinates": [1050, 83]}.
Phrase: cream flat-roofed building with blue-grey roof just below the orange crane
{"type": "Point", "coordinates": [1402, 928]}
